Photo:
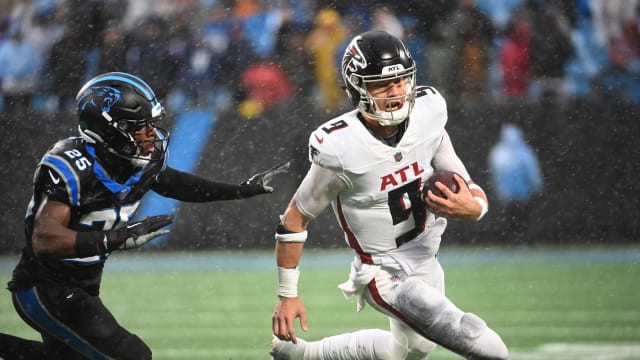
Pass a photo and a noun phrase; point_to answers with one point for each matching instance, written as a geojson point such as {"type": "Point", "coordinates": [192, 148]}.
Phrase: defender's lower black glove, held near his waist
{"type": "Point", "coordinates": [137, 233]}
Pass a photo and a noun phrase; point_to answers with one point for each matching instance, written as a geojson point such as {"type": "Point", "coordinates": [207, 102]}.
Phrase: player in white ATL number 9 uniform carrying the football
{"type": "Point", "coordinates": [370, 165]}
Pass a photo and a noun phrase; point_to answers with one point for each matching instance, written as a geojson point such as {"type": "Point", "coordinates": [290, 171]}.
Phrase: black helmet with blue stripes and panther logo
{"type": "Point", "coordinates": [114, 105]}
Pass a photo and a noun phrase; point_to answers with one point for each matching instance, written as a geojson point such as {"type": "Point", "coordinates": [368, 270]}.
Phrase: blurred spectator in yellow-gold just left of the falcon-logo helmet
{"type": "Point", "coordinates": [322, 43]}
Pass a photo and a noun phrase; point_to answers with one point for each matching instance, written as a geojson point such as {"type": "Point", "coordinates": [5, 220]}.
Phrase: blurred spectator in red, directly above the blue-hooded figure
{"type": "Point", "coordinates": [515, 59]}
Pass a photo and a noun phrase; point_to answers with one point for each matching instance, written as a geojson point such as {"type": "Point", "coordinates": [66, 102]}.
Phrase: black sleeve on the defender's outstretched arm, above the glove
{"type": "Point", "coordinates": [187, 187]}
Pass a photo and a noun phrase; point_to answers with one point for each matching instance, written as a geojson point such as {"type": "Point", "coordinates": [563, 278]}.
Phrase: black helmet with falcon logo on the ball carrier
{"type": "Point", "coordinates": [378, 56]}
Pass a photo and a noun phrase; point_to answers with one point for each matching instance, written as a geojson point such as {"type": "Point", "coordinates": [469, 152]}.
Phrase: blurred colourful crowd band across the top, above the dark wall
{"type": "Point", "coordinates": [246, 55]}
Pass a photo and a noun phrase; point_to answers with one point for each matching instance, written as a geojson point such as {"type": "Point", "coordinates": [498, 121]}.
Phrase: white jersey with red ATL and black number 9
{"type": "Point", "coordinates": [380, 208]}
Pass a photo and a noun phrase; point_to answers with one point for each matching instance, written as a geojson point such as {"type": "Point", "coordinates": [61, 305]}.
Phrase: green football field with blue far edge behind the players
{"type": "Point", "coordinates": [547, 304]}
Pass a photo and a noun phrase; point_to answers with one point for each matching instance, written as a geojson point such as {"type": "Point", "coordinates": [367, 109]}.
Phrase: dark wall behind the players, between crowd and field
{"type": "Point", "coordinates": [587, 149]}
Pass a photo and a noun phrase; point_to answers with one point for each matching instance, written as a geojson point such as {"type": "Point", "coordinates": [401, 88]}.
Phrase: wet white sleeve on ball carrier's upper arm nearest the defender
{"type": "Point", "coordinates": [316, 191]}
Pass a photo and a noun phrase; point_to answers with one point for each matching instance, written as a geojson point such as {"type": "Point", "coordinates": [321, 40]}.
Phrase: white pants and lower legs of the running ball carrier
{"type": "Point", "coordinates": [421, 316]}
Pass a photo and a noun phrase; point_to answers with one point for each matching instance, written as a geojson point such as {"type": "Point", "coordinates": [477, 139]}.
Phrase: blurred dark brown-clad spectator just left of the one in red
{"type": "Point", "coordinates": [473, 39]}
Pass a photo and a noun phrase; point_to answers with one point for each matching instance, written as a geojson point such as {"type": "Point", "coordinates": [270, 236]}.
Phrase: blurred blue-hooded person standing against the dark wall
{"type": "Point", "coordinates": [516, 177]}
